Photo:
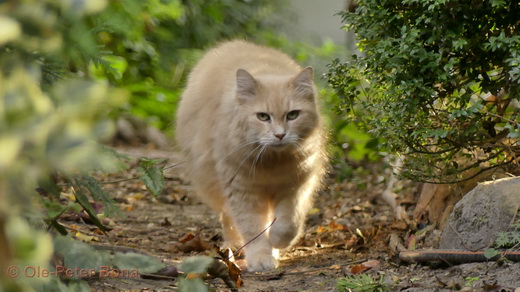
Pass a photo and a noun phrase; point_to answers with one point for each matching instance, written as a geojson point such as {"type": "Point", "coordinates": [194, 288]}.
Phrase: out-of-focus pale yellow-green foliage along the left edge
{"type": "Point", "coordinates": [50, 117]}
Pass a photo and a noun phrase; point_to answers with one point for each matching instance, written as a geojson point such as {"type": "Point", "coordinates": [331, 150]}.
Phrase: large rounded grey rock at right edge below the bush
{"type": "Point", "coordinates": [481, 214]}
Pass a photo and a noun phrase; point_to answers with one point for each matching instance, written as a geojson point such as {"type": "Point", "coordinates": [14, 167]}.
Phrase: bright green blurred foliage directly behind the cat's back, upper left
{"type": "Point", "coordinates": [148, 47]}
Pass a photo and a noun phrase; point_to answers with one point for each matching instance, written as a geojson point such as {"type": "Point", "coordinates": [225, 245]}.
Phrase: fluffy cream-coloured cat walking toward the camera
{"type": "Point", "coordinates": [249, 126]}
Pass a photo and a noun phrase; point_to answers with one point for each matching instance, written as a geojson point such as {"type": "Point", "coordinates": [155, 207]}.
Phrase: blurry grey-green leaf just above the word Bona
{"type": "Point", "coordinates": [143, 263]}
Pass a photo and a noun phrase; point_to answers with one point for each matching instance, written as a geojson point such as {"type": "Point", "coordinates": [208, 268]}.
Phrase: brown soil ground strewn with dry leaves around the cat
{"type": "Point", "coordinates": [349, 226]}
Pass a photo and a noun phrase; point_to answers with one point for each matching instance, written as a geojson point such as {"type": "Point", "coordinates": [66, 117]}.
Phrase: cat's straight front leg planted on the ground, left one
{"type": "Point", "coordinates": [251, 216]}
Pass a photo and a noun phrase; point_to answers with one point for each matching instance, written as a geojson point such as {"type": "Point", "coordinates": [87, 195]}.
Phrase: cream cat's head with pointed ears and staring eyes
{"type": "Point", "coordinates": [279, 110]}
